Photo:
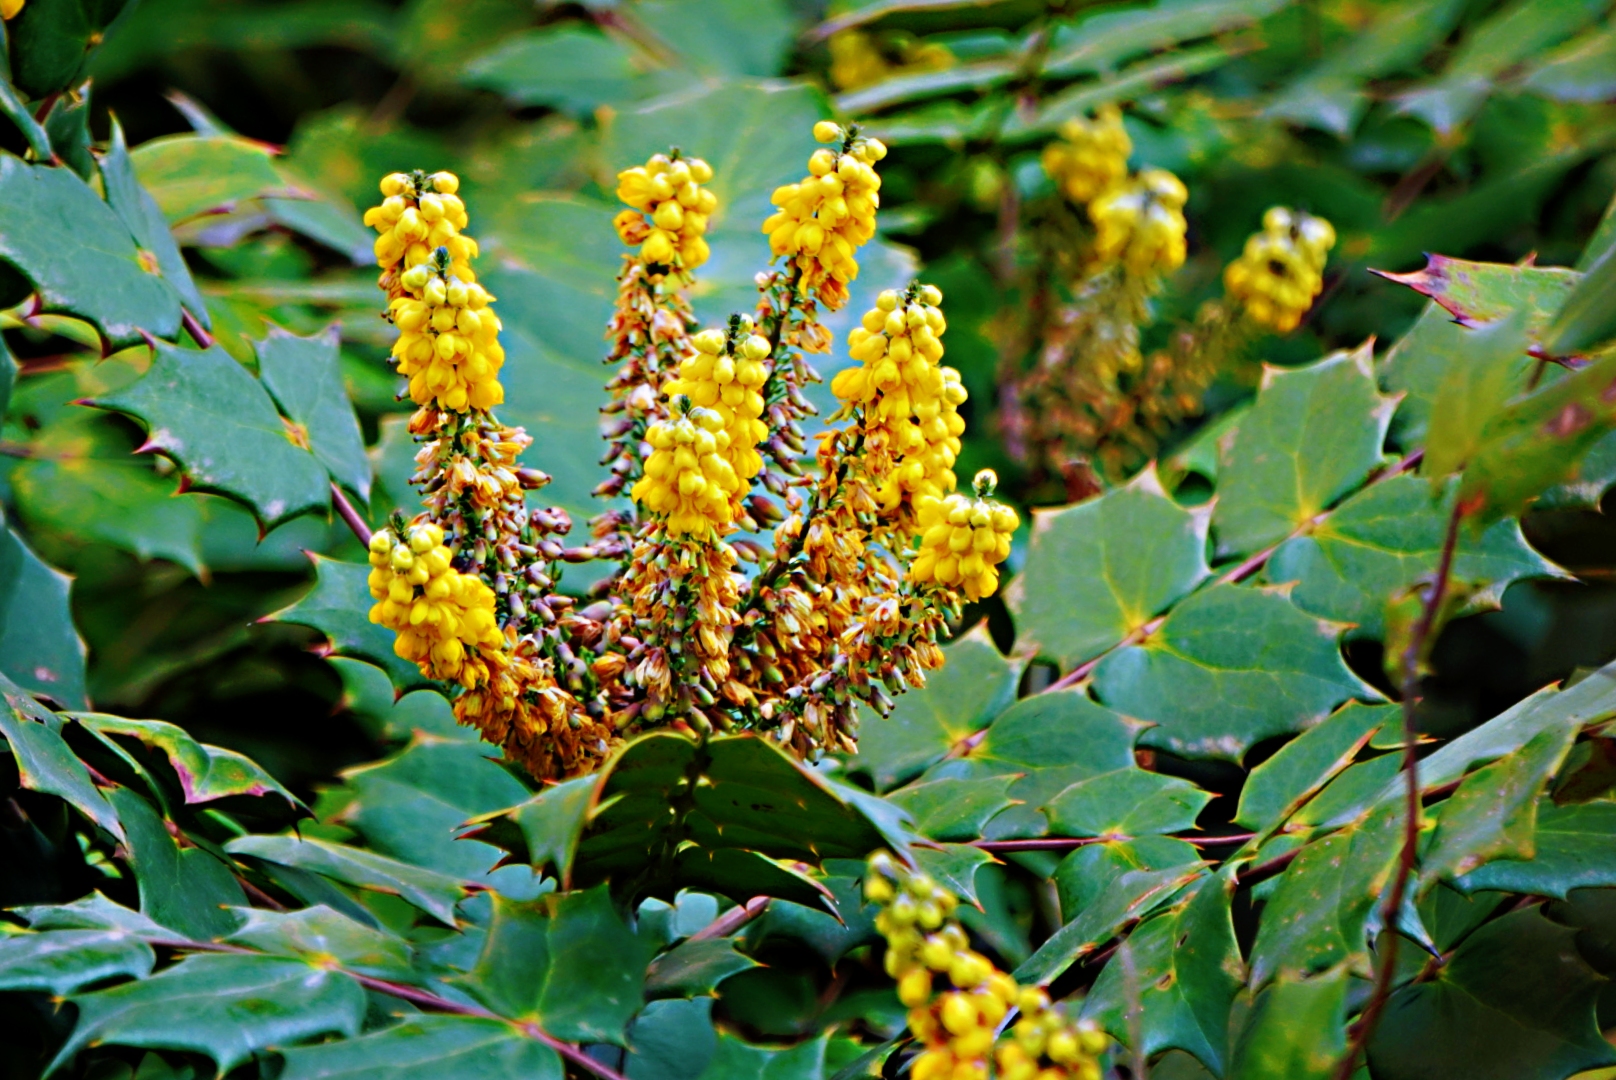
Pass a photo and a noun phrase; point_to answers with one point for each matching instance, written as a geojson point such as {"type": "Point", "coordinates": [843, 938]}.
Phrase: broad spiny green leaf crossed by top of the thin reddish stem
{"type": "Point", "coordinates": [1389, 538]}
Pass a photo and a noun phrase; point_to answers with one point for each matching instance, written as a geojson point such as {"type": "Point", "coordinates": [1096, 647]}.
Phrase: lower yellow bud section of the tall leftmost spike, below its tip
{"type": "Point", "coordinates": [448, 344]}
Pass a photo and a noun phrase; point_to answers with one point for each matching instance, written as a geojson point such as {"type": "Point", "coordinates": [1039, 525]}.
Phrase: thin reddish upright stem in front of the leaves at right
{"type": "Point", "coordinates": [1386, 969]}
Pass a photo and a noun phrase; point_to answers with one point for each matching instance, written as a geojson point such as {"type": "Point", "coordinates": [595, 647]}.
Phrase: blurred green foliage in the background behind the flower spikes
{"type": "Point", "coordinates": [1476, 129]}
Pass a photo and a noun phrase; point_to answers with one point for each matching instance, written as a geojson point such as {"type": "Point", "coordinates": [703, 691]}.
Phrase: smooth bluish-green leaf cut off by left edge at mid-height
{"type": "Point", "coordinates": [40, 648]}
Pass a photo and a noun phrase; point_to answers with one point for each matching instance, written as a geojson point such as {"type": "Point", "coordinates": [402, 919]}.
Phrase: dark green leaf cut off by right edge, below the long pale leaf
{"type": "Point", "coordinates": [1572, 850]}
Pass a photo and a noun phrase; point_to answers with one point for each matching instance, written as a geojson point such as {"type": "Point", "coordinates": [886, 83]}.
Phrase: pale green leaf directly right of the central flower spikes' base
{"type": "Point", "coordinates": [970, 690]}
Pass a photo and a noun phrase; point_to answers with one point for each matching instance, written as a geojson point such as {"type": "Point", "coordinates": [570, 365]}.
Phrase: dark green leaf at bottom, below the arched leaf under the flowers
{"type": "Point", "coordinates": [565, 961]}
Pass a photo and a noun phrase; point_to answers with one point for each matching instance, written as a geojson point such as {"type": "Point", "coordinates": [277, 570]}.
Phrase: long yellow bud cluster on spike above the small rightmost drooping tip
{"type": "Point", "coordinates": [912, 421]}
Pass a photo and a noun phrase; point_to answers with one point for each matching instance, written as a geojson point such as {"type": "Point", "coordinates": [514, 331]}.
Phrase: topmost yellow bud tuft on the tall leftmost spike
{"type": "Point", "coordinates": [419, 214]}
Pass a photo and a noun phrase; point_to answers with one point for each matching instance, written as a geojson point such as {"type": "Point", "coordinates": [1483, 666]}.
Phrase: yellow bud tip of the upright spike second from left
{"type": "Point", "coordinates": [668, 192]}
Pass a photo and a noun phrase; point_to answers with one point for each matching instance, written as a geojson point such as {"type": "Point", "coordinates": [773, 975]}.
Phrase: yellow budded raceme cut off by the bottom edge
{"type": "Point", "coordinates": [957, 998]}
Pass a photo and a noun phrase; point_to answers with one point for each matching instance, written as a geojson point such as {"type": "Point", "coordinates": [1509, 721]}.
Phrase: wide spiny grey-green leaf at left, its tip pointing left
{"type": "Point", "coordinates": [217, 423]}
